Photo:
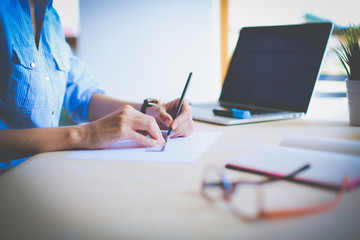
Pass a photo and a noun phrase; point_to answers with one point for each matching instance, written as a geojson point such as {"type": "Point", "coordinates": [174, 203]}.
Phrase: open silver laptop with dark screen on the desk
{"type": "Point", "coordinates": [272, 73]}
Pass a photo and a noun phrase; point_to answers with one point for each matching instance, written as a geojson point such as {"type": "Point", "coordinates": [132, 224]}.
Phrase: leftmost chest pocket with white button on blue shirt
{"type": "Point", "coordinates": [25, 87]}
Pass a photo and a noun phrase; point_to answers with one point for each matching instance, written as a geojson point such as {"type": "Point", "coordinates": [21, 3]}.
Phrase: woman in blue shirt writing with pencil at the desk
{"type": "Point", "coordinates": [40, 75]}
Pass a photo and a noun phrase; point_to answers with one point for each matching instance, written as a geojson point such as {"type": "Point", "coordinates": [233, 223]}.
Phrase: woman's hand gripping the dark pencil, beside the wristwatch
{"type": "Point", "coordinates": [182, 125]}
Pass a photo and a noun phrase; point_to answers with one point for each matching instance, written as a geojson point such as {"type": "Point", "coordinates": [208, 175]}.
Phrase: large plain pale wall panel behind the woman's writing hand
{"type": "Point", "coordinates": [142, 48]}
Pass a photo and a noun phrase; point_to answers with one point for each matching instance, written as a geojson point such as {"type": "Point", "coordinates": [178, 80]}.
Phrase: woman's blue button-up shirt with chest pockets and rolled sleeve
{"type": "Point", "coordinates": [35, 83]}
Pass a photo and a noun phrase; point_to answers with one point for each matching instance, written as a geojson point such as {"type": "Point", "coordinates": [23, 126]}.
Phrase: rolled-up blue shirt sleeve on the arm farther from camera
{"type": "Point", "coordinates": [80, 87]}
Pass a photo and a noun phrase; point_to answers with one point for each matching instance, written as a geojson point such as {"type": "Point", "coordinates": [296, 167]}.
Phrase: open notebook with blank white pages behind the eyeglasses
{"type": "Point", "coordinates": [330, 160]}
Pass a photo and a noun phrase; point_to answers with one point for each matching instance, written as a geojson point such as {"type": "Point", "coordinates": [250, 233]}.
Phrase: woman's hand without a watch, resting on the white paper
{"type": "Point", "coordinates": [124, 123]}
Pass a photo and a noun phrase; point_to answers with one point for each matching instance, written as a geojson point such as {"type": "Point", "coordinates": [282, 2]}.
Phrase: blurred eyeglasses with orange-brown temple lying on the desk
{"type": "Point", "coordinates": [246, 198]}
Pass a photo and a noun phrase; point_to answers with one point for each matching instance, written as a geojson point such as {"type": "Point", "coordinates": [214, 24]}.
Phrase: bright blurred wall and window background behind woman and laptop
{"type": "Point", "coordinates": [141, 48]}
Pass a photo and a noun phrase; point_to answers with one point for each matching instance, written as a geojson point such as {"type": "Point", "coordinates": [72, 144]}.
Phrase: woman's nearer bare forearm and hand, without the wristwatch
{"type": "Point", "coordinates": [123, 123]}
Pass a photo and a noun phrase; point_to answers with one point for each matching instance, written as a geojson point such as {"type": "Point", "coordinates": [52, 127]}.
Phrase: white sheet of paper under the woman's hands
{"type": "Point", "coordinates": [179, 150]}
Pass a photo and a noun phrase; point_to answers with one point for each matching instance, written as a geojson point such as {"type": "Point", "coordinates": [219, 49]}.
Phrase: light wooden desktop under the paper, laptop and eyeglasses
{"type": "Point", "coordinates": [50, 197]}
